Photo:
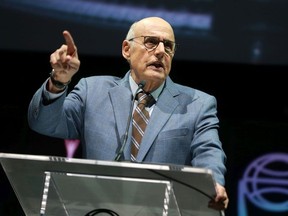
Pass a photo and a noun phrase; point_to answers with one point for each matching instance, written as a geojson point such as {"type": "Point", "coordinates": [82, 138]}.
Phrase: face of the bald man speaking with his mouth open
{"type": "Point", "coordinates": [151, 52]}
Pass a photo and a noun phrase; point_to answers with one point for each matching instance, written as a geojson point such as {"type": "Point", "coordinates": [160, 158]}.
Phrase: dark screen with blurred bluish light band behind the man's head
{"type": "Point", "coordinates": [246, 31]}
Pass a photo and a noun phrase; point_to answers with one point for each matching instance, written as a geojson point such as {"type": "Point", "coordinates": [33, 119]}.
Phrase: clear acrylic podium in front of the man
{"type": "Point", "coordinates": [58, 186]}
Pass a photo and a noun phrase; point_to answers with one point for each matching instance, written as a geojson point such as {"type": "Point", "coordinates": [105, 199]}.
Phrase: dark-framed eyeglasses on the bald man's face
{"type": "Point", "coordinates": [152, 42]}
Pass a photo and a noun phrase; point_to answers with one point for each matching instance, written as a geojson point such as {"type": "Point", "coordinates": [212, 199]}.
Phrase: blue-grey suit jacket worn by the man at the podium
{"type": "Point", "coordinates": [183, 127]}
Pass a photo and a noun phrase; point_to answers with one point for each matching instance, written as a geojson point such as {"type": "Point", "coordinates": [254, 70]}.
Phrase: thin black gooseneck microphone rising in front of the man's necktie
{"type": "Point", "coordinates": [120, 152]}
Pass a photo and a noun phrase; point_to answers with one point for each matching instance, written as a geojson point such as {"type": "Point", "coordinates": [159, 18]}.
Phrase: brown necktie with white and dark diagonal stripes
{"type": "Point", "coordinates": [139, 123]}
